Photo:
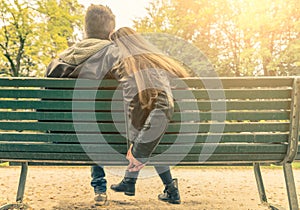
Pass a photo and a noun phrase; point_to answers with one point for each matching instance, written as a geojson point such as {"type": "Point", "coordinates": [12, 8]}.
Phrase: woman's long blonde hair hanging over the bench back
{"type": "Point", "coordinates": [139, 59]}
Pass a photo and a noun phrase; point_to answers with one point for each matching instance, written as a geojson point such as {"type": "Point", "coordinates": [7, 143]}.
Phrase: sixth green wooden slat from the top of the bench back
{"type": "Point", "coordinates": [167, 139]}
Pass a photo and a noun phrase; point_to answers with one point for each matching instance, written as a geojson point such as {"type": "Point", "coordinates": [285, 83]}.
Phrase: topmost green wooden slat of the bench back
{"type": "Point", "coordinates": [227, 82]}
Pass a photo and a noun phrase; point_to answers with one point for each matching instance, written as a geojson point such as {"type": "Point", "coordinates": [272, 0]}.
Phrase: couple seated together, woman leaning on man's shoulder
{"type": "Point", "coordinates": [144, 74]}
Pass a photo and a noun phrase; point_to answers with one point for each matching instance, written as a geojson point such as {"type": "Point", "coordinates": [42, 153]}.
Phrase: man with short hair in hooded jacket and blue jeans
{"type": "Point", "coordinates": [94, 50]}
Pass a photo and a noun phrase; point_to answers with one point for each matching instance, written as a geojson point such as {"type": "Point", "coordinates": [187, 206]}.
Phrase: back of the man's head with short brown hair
{"type": "Point", "coordinates": [99, 22]}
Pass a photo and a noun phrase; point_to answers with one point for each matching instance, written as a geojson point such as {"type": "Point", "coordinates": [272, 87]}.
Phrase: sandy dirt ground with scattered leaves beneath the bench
{"type": "Point", "coordinates": [201, 188]}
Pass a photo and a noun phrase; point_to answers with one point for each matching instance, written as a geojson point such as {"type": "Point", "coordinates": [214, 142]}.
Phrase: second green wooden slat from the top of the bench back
{"type": "Point", "coordinates": [117, 94]}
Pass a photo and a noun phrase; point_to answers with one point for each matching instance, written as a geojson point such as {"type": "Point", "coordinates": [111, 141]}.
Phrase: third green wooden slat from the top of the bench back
{"type": "Point", "coordinates": [118, 105]}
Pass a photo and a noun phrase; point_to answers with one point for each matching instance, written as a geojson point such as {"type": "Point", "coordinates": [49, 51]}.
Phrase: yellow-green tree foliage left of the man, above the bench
{"type": "Point", "coordinates": [34, 32]}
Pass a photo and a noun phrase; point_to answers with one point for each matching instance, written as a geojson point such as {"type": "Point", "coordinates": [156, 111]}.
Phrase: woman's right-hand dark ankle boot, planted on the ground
{"type": "Point", "coordinates": [171, 193]}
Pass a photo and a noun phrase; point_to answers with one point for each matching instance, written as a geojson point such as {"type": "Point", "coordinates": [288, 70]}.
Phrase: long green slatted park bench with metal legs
{"type": "Point", "coordinates": [217, 121]}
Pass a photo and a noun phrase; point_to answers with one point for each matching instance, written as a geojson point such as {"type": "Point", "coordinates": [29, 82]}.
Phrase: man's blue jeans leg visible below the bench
{"type": "Point", "coordinates": [98, 179]}
